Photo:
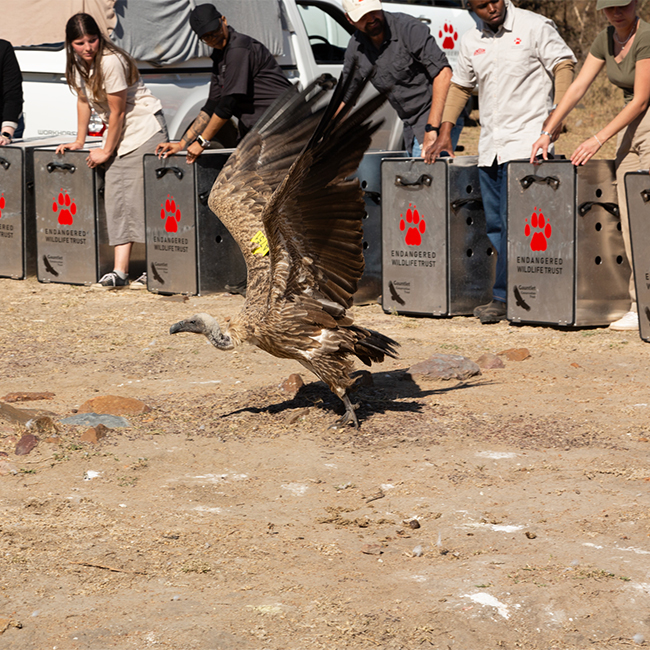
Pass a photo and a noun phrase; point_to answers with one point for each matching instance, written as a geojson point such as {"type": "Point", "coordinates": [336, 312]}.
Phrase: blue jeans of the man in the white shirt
{"type": "Point", "coordinates": [494, 191]}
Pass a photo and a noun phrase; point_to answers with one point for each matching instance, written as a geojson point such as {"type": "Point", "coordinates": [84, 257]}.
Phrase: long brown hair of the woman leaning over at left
{"type": "Point", "coordinates": [77, 27]}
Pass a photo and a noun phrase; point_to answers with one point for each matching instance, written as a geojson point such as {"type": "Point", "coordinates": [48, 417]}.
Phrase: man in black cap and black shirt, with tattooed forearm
{"type": "Point", "coordinates": [246, 80]}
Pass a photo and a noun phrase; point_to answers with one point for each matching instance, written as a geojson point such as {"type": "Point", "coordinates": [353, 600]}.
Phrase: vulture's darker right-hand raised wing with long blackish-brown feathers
{"type": "Point", "coordinates": [314, 219]}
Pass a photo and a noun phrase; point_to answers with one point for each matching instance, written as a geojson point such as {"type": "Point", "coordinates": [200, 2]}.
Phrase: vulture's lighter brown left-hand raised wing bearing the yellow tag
{"type": "Point", "coordinates": [260, 163]}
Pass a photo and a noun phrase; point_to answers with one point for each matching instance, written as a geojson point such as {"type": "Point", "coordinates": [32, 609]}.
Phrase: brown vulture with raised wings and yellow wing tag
{"type": "Point", "coordinates": [287, 198]}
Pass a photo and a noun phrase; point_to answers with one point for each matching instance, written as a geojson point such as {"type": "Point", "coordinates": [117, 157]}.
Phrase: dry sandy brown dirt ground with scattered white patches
{"type": "Point", "coordinates": [231, 516]}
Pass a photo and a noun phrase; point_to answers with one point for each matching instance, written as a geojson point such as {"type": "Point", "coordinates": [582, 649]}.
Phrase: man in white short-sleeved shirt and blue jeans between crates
{"type": "Point", "coordinates": [521, 67]}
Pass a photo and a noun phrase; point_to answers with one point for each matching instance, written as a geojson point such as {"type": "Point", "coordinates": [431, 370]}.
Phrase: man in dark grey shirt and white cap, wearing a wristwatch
{"type": "Point", "coordinates": [409, 68]}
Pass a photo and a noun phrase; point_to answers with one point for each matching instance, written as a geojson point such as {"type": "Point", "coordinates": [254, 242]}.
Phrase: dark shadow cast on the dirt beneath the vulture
{"type": "Point", "coordinates": [393, 391]}
